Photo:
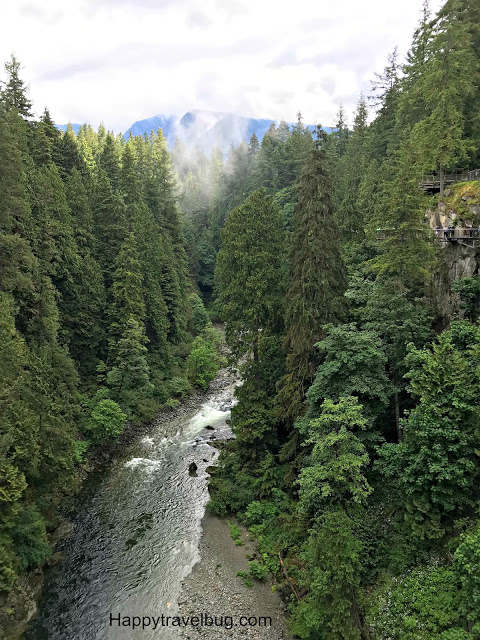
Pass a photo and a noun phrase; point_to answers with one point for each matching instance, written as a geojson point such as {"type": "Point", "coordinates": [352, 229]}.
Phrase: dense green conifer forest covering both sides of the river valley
{"type": "Point", "coordinates": [330, 265]}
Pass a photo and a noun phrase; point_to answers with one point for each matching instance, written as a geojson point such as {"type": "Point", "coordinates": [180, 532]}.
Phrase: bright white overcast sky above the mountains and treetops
{"type": "Point", "coordinates": [119, 61]}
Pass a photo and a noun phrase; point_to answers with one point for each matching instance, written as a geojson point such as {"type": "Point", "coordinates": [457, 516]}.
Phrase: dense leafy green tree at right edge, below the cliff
{"type": "Point", "coordinates": [436, 462]}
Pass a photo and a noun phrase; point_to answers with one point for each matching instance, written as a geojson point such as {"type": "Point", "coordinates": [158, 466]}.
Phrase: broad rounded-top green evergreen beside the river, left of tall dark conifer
{"type": "Point", "coordinates": [250, 278]}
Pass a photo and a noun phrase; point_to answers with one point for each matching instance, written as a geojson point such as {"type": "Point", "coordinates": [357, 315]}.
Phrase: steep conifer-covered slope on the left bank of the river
{"type": "Point", "coordinates": [97, 315]}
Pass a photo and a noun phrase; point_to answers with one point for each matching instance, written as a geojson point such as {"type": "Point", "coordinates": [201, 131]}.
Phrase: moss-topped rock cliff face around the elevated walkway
{"type": "Point", "coordinates": [461, 208]}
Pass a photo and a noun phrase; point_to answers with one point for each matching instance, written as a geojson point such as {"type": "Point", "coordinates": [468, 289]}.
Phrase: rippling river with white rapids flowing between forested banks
{"type": "Point", "coordinates": [136, 531]}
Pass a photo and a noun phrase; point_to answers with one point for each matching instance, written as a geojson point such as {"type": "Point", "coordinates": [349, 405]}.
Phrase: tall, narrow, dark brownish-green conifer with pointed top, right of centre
{"type": "Point", "coordinates": [317, 280]}
